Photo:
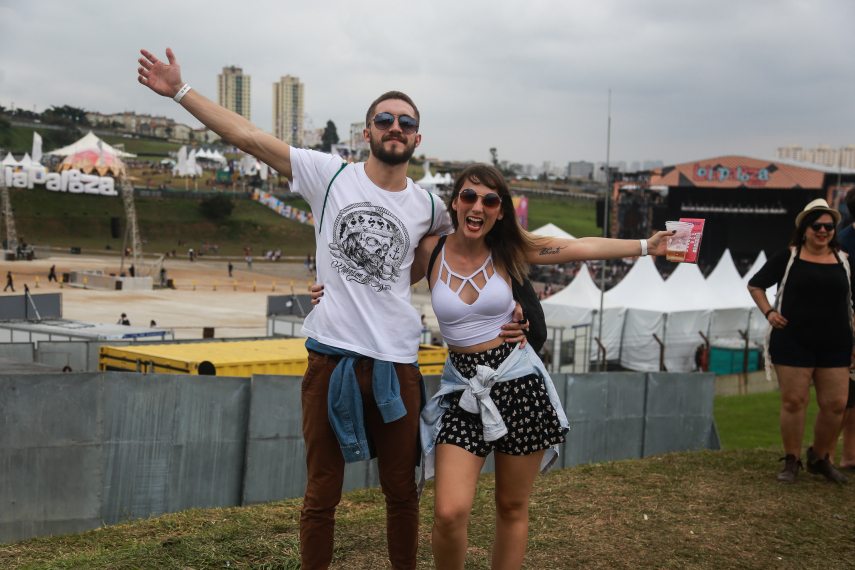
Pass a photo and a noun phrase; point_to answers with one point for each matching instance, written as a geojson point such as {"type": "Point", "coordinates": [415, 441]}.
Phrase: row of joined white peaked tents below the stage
{"type": "Point", "coordinates": [676, 310]}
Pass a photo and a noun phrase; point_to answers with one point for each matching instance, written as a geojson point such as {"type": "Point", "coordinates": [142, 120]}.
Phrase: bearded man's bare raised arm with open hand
{"type": "Point", "coordinates": [165, 79]}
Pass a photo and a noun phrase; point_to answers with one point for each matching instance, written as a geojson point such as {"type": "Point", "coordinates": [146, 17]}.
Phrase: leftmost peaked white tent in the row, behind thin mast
{"type": "Point", "coordinates": [579, 303]}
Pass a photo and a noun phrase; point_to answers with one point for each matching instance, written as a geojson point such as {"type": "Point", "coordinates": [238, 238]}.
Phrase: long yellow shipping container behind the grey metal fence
{"type": "Point", "coordinates": [239, 358]}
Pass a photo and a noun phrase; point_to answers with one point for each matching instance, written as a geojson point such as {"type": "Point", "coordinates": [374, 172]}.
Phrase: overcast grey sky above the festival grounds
{"type": "Point", "coordinates": [689, 80]}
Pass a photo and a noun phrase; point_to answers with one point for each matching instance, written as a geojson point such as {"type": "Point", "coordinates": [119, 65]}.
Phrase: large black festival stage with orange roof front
{"type": "Point", "coordinates": [749, 204]}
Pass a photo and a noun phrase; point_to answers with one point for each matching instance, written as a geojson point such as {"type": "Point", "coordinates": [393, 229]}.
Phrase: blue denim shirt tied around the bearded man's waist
{"type": "Point", "coordinates": [344, 401]}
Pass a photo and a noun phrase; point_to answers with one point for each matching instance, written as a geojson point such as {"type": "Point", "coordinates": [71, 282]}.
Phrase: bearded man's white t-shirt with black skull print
{"type": "Point", "coordinates": [366, 238]}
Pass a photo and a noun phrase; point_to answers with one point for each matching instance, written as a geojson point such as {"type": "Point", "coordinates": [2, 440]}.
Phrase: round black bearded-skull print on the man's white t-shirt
{"type": "Point", "coordinates": [370, 245]}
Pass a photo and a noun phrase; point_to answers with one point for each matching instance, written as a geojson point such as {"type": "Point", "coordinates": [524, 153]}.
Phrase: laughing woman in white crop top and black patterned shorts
{"type": "Point", "coordinates": [494, 395]}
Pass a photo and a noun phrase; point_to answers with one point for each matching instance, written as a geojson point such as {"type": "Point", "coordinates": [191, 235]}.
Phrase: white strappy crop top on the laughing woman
{"type": "Point", "coordinates": [463, 324]}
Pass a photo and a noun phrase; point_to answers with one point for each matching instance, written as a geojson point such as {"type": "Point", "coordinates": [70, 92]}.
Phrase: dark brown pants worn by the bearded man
{"type": "Point", "coordinates": [397, 449]}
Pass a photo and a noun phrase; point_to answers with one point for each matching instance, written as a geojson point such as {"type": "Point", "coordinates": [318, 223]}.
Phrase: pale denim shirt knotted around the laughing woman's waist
{"type": "Point", "coordinates": [476, 399]}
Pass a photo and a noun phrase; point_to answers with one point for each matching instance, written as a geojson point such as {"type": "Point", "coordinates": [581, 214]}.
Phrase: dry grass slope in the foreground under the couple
{"type": "Point", "coordinates": [702, 510]}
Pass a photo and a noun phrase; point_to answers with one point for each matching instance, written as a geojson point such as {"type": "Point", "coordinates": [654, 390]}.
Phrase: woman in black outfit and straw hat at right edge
{"type": "Point", "coordinates": [810, 336]}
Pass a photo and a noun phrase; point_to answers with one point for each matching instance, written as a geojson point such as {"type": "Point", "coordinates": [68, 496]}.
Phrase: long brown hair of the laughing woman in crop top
{"type": "Point", "coordinates": [507, 239]}
